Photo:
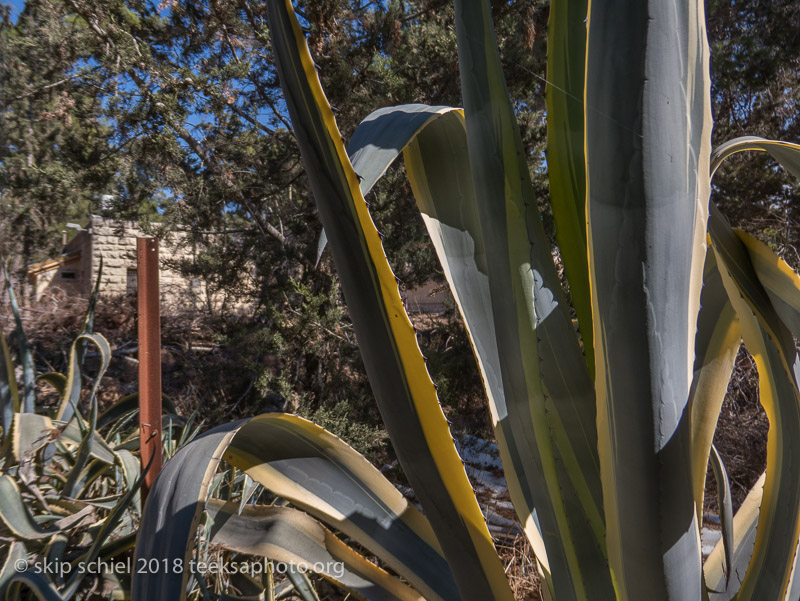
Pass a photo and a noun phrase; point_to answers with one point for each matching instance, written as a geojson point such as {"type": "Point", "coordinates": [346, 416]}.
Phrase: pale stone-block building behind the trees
{"type": "Point", "coordinates": [75, 271]}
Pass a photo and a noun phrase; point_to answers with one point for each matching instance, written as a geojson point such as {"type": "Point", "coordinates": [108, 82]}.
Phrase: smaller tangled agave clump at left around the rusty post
{"type": "Point", "coordinates": [69, 482]}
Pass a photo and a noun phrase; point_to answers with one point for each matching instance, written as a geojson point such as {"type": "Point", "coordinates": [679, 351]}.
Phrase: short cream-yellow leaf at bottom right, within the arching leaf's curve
{"type": "Point", "coordinates": [745, 523]}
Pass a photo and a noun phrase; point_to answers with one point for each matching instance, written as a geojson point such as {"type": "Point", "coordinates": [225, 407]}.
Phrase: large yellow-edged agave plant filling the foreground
{"type": "Point", "coordinates": [604, 398]}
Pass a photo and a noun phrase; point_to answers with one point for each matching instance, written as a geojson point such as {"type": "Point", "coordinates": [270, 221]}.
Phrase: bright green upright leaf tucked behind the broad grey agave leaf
{"type": "Point", "coordinates": [566, 63]}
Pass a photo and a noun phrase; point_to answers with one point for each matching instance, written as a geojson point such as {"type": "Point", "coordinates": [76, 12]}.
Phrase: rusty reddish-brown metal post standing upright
{"type": "Point", "coordinates": [149, 358]}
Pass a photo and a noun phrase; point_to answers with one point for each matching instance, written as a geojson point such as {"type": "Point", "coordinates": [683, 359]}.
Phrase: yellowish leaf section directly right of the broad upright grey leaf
{"type": "Point", "coordinates": [716, 346]}
